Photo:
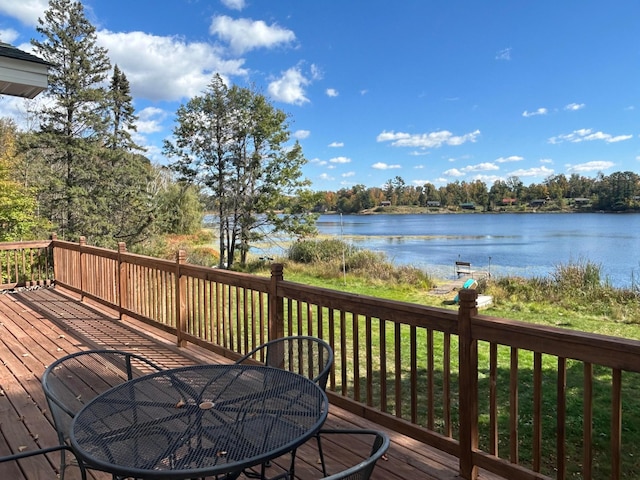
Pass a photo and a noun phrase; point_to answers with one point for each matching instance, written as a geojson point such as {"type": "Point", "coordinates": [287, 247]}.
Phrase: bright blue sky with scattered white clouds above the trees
{"type": "Point", "coordinates": [428, 91]}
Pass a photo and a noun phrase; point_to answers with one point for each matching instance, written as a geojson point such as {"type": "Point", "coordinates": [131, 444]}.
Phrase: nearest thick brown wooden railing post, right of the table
{"type": "Point", "coordinates": [468, 401]}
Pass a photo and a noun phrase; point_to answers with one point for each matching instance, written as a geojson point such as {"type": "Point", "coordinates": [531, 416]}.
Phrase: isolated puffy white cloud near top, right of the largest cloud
{"type": "Point", "coordinates": [244, 35]}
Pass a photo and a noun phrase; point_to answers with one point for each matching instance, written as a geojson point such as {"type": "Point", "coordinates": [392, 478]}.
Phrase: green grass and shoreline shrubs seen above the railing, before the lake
{"type": "Point", "coordinates": [573, 295]}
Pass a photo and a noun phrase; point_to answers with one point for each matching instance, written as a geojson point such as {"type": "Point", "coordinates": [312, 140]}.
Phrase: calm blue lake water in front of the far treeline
{"type": "Point", "coordinates": [505, 244]}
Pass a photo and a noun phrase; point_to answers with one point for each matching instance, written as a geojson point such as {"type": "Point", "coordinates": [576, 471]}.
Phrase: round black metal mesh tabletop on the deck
{"type": "Point", "coordinates": [198, 421]}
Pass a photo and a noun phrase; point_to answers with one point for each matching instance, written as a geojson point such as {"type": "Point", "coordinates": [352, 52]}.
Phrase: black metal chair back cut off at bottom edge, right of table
{"type": "Point", "coordinates": [364, 469]}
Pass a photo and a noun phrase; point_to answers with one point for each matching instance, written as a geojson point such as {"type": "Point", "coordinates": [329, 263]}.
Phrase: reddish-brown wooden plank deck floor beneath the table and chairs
{"type": "Point", "coordinates": [38, 326]}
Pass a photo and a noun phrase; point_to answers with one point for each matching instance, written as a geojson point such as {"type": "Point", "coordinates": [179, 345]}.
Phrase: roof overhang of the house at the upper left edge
{"type": "Point", "coordinates": [21, 74]}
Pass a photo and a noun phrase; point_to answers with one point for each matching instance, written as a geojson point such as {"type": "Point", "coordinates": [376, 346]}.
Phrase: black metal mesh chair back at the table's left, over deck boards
{"type": "Point", "coordinates": [74, 380]}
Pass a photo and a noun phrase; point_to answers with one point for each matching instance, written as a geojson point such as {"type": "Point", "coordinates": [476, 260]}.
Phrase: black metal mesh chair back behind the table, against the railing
{"type": "Point", "coordinates": [309, 356]}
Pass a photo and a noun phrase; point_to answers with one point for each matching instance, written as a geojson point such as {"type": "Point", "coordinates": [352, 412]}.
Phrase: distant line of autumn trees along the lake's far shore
{"type": "Point", "coordinates": [619, 191]}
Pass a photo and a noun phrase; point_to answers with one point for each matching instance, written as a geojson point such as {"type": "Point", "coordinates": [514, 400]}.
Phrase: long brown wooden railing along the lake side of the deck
{"type": "Point", "coordinates": [452, 379]}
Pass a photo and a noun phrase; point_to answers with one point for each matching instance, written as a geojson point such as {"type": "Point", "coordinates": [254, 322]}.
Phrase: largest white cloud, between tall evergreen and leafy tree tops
{"type": "Point", "coordinates": [166, 68]}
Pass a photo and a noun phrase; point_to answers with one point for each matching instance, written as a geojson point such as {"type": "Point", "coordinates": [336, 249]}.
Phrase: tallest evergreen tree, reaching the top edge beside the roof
{"type": "Point", "coordinates": [74, 125]}
